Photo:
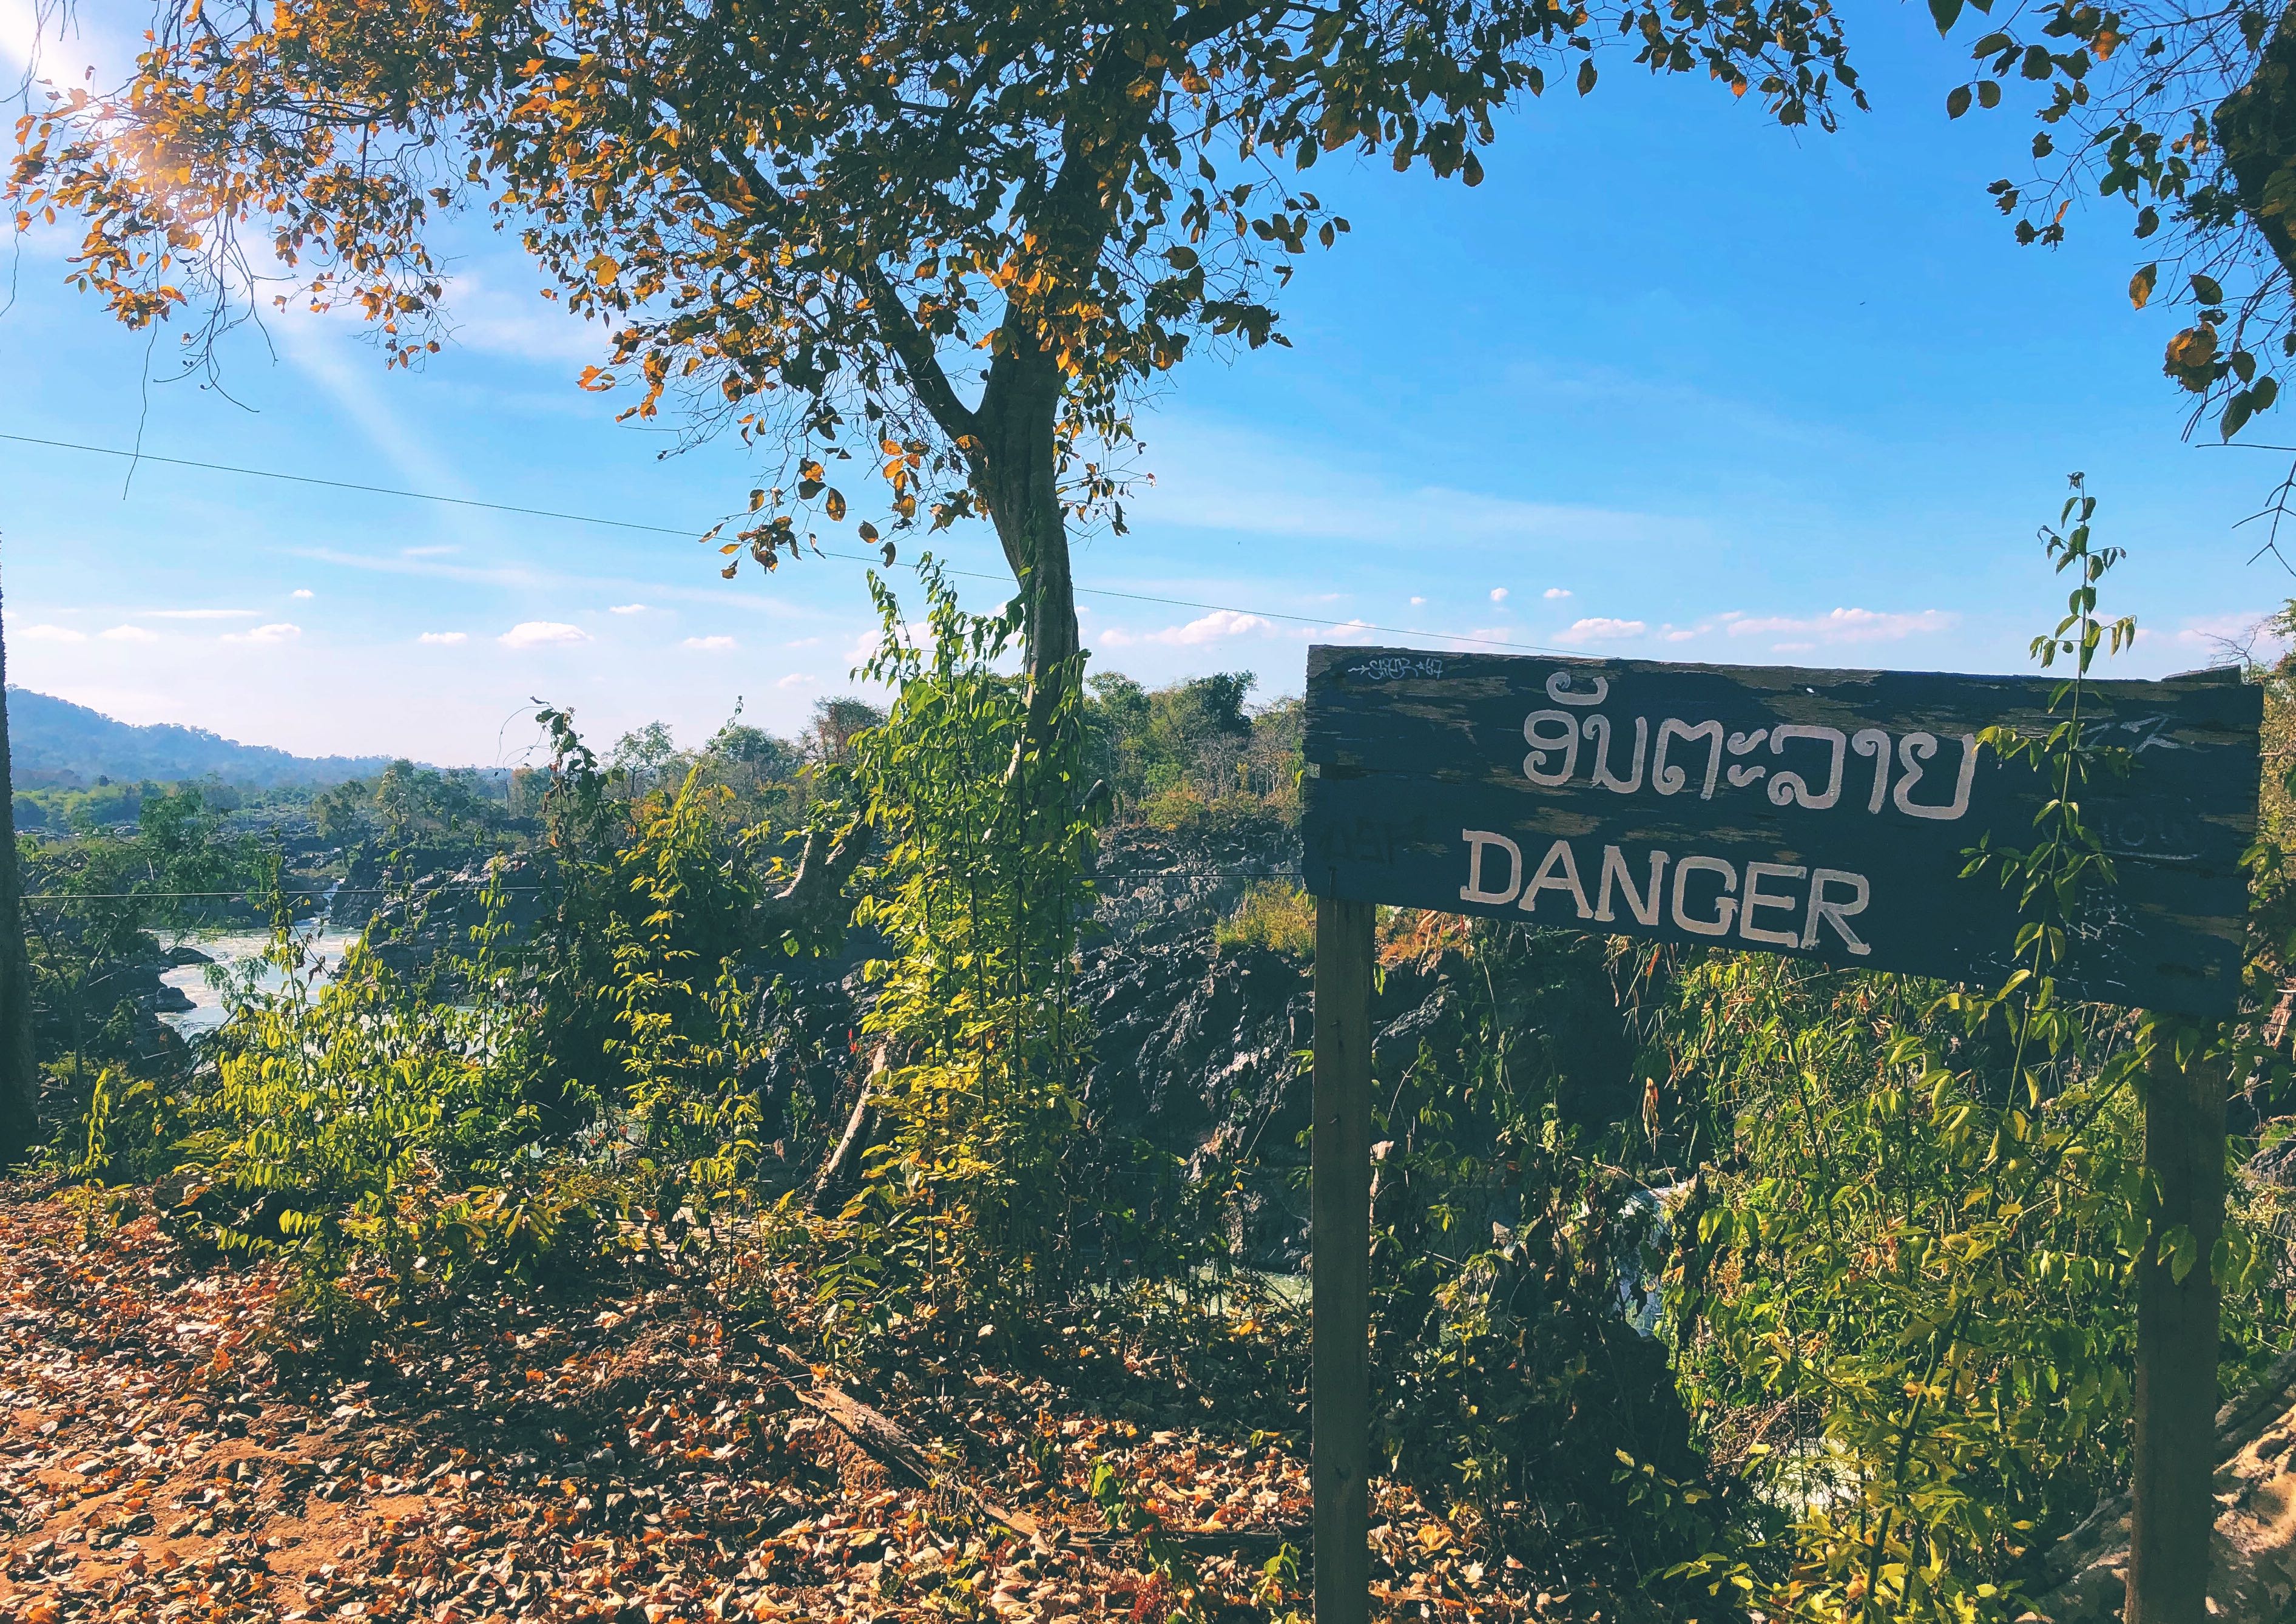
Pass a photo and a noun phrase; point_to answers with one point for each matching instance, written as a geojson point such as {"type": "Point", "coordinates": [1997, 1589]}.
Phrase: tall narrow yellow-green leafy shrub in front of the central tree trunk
{"type": "Point", "coordinates": [979, 892]}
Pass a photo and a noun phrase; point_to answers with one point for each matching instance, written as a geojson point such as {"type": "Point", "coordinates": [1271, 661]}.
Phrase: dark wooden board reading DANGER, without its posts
{"type": "Point", "coordinates": [1824, 814]}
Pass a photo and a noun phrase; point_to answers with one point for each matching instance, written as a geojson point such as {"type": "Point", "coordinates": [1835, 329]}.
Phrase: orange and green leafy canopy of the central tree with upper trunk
{"type": "Point", "coordinates": [936, 240]}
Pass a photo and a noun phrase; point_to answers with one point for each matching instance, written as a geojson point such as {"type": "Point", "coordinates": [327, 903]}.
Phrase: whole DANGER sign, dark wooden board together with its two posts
{"type": "Point", "coordinates": [1817, 814]}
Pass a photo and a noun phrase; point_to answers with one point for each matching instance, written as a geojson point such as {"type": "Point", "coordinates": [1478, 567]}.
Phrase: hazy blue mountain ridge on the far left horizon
{"type": "Point", "coordinates": [56, 743]}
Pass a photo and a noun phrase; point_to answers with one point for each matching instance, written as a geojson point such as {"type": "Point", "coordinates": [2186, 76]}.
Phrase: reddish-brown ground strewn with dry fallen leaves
{"type": "Point", "coordinates": [637, 1455]}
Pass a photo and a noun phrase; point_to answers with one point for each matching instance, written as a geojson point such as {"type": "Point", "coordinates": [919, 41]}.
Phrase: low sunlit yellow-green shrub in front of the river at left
{"type": "Point", "coordinates": [375, 1131]}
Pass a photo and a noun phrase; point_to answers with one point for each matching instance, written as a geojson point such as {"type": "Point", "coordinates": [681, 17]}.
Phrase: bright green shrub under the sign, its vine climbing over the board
{"type": "Point", "coordinates": [1905, 1301]}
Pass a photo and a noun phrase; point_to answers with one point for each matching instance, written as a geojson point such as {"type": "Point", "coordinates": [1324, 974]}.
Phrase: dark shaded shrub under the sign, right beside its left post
{"type": "Point", "coordinates": [1505, 1230]}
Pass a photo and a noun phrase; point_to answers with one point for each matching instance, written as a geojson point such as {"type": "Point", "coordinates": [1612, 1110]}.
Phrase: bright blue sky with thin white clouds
{"type": "Point", "coordinates": [1673, 385]}
